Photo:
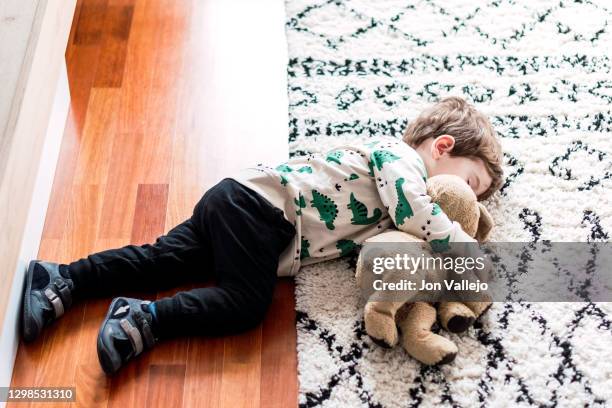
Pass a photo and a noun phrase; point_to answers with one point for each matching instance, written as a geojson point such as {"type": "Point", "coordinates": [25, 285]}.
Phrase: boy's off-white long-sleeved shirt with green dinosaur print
{"type": "Point", "coordinates": [338, 200]}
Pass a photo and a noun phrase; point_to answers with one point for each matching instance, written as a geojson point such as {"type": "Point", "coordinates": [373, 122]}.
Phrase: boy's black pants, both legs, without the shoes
{"type": "Point", "coordinates": [234, 236]}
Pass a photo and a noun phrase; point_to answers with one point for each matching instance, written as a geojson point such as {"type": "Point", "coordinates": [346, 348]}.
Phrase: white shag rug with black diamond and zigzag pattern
{"type": "Point", "coordinates": [541, 71]}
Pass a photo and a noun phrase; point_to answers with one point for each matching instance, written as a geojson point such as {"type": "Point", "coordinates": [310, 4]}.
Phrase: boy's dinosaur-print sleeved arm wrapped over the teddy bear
{"type": "Point", "coordinates": [400, 178]}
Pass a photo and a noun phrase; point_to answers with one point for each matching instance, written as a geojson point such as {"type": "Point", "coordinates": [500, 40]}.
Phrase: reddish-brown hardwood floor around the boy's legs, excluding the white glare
{"type": "Point", "coordinates": [135, 157]}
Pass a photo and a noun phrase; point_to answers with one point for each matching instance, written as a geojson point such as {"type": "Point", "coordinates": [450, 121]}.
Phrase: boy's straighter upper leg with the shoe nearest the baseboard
{"type": "Point", "coordinates": [178, 256]}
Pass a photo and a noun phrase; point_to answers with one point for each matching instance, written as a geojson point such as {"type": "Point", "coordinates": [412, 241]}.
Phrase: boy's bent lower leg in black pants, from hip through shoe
{"type": "Point", "coordinates": [246, 235]}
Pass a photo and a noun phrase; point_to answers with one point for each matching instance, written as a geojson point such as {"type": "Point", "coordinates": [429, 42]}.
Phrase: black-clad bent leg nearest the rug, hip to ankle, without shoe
{"type": "Point", "coordinates": [247, 235]}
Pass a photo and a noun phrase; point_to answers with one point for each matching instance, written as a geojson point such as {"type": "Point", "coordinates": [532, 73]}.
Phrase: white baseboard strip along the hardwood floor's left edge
{"type": "Point", "coordinates": [9, 336]}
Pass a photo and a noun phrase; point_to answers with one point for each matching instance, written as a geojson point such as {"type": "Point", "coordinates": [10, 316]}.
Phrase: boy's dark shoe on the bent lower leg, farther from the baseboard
{"type": "Point", "coordinates": [126, 332]}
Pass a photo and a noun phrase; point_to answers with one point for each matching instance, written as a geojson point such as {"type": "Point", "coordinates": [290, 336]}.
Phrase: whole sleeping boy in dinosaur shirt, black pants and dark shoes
{"type": "Point", "coordinates": [267, 222]}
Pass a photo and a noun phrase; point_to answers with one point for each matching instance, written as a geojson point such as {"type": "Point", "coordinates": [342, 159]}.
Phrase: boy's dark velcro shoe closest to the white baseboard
{"type": "Point", "coordinates": [46, 297]}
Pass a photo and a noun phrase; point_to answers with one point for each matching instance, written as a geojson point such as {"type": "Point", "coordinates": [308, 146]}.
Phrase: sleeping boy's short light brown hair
{"type": "Point", "coordinates": [473, 133]}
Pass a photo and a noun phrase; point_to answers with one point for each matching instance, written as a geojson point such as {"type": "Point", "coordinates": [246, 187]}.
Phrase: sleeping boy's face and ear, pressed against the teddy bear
{"type": "Point", "coordinates": [436, 155]}
